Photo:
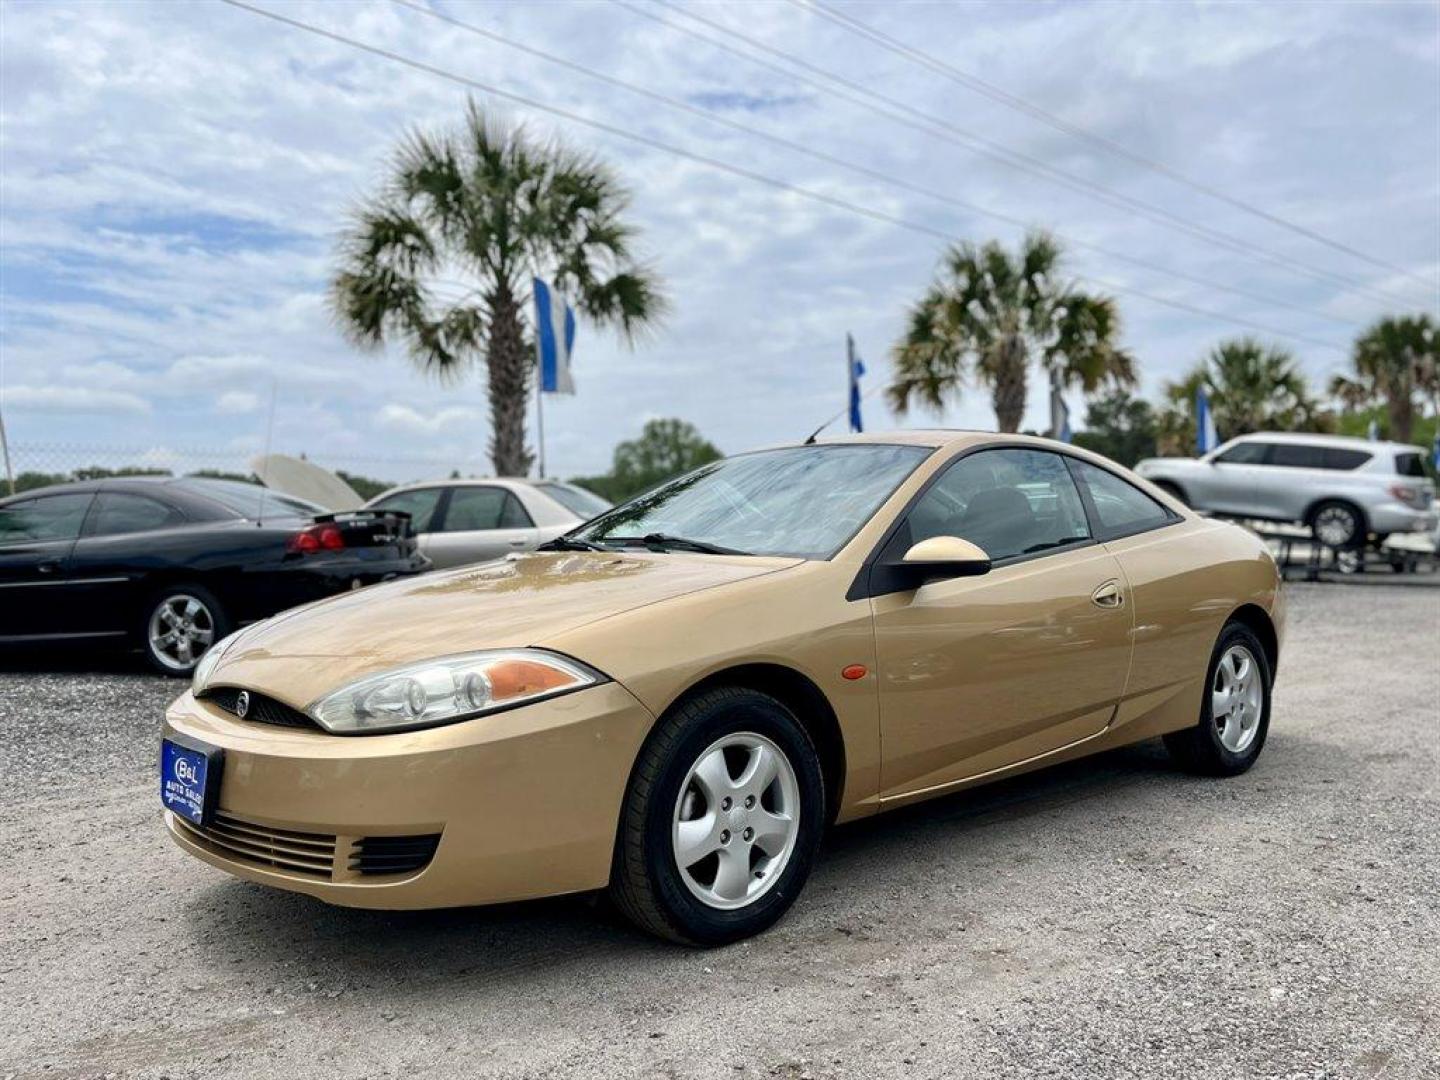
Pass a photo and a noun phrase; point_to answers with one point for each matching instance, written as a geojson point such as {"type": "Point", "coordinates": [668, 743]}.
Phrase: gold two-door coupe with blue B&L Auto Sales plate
{"type": "Point", "coordinates": [675, 701]}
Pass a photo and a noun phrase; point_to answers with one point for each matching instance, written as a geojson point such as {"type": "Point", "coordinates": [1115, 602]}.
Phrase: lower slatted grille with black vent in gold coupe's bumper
{"type": "Point", "coordinates": [315, 855]}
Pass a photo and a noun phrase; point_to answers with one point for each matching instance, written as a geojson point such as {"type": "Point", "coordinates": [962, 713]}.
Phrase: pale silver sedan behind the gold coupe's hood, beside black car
{"type": "Point", "coordinates": [472, 521]}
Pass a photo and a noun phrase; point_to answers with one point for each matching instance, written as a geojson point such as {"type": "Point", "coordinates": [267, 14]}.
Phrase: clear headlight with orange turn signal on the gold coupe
{"type": "Point", "coordinates": [449, 689]}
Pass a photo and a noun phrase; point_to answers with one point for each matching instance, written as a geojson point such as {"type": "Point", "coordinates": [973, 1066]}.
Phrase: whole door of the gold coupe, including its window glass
{"type": "Point", "coordinates": [981, 673]}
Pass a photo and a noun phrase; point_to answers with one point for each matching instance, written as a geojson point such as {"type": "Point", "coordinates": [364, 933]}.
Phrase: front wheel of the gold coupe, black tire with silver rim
{"type": "Point", "coordinates": [722, 822]}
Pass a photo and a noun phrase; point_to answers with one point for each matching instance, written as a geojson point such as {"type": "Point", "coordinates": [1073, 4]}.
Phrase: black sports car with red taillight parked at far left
{"type": "Point", "coordinates": [175, 565]}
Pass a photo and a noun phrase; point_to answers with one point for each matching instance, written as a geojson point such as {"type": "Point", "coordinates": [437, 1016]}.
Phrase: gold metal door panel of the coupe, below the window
{"type": "Point", "coordinates": [981, 673]}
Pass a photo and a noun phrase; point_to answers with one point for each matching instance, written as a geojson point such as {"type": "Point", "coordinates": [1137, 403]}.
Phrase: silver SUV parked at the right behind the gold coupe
{"type": "Point", "coordinates": [1346, 490]}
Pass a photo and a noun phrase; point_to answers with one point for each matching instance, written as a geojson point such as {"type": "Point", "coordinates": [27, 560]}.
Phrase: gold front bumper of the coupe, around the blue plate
{"type": "Point", "coordinates": [523, 803]}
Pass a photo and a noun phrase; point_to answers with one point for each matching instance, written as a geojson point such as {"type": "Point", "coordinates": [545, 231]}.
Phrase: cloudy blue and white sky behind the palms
{"type": "Point", "coordinates": [174, 179]}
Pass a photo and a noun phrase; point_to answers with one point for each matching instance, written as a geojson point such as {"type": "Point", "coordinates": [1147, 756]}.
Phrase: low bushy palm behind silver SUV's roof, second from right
{"type": "Point", "coordinates": [1251, 387]}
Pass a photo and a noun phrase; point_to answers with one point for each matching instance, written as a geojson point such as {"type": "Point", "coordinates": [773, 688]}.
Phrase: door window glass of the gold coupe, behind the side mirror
{"type": "Point", "coordinates": [1007, 502]}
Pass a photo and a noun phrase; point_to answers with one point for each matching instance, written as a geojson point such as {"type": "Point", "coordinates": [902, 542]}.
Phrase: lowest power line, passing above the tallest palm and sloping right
{"type": "Point", "coordinates": [737, 171]}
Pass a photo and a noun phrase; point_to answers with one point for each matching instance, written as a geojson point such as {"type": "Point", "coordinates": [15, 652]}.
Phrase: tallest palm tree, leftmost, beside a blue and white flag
{"type": "Point", "coordinates": [441, 260]}
